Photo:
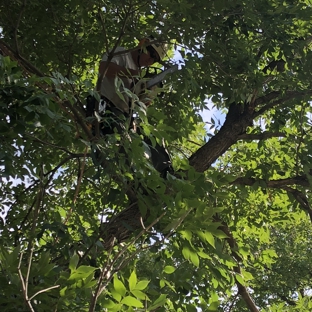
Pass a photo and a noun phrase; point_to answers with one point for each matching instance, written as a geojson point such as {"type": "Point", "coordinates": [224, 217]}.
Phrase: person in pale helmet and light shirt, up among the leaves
{"type": "Point", "coordinates": [127, 66]}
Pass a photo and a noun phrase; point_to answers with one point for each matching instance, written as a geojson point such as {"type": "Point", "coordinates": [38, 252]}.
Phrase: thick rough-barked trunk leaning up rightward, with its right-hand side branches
{"type": "Point", "coordinates": [239, 117]}
